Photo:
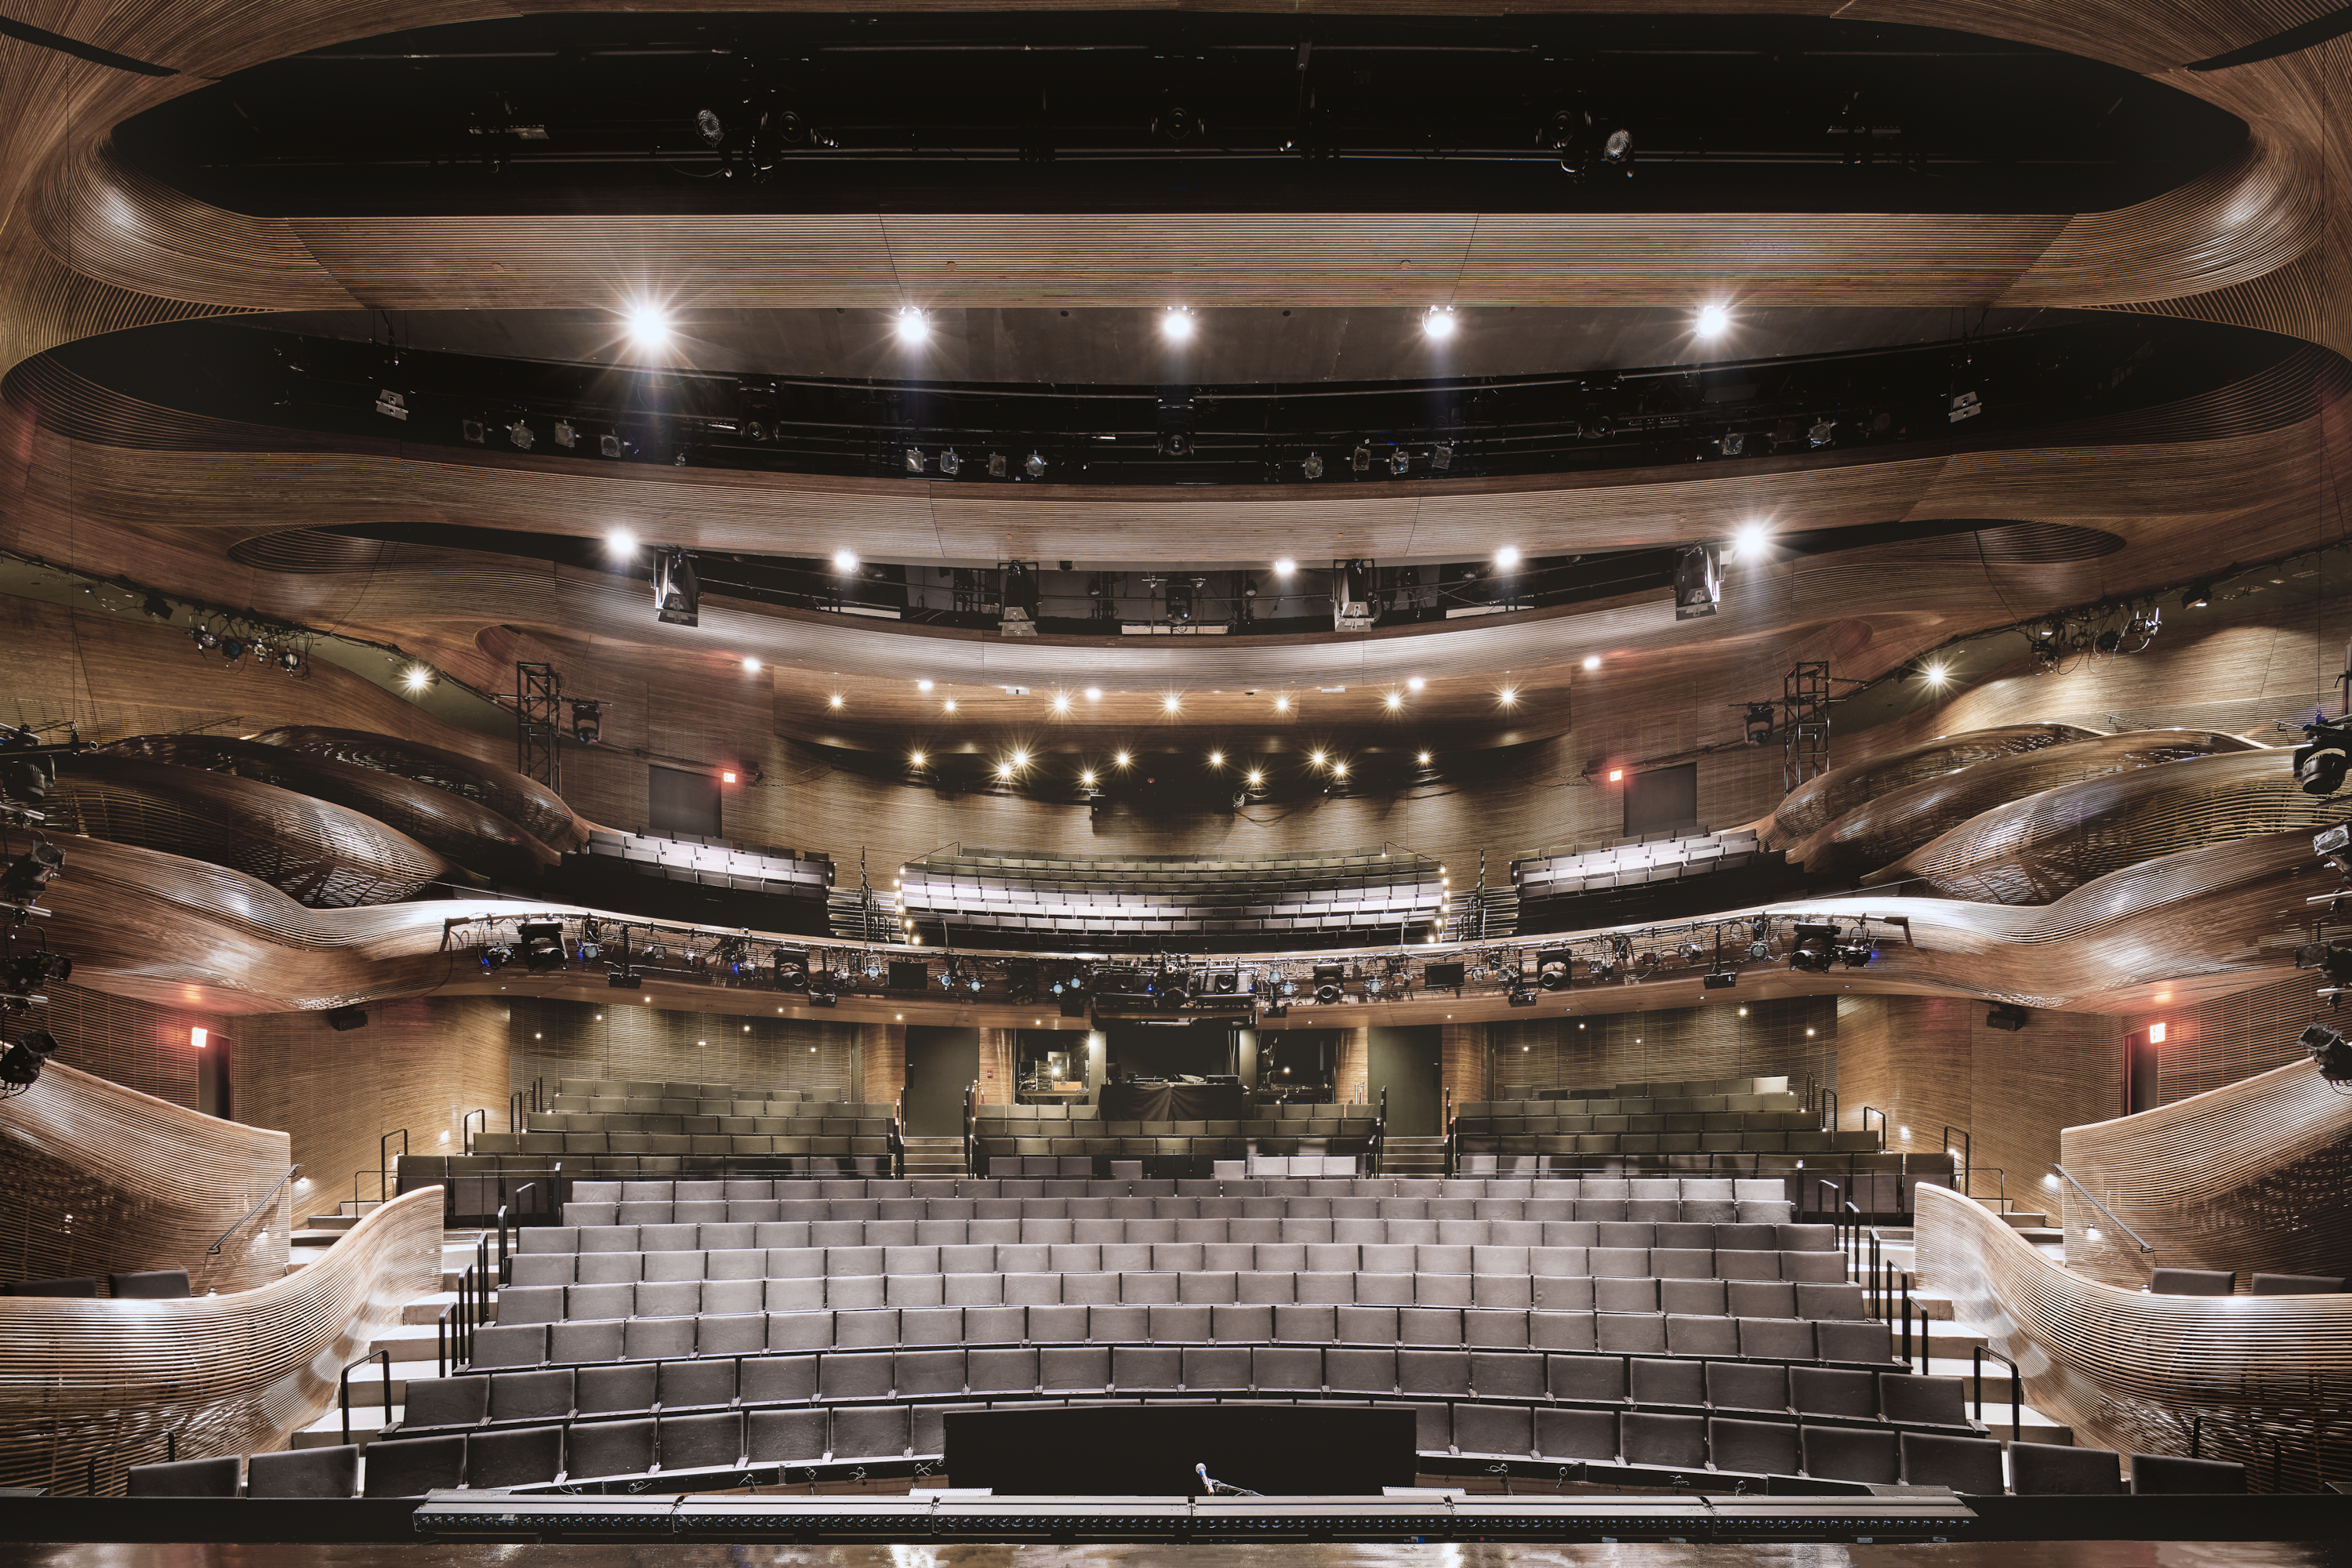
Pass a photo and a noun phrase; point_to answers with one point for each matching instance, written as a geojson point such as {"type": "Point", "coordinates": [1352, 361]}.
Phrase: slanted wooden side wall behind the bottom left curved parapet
{"type": "Point", "coordinates": [107, 1181]}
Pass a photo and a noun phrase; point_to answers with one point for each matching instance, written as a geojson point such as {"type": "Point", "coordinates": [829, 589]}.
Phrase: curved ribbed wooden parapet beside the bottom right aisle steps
{"type": "Point", "coordinates": [2132, 1372]}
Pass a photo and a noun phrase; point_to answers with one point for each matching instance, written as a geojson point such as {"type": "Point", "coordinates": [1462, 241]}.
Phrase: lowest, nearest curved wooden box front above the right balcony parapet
{"type": "Point", "coordinates": [2038, 847]}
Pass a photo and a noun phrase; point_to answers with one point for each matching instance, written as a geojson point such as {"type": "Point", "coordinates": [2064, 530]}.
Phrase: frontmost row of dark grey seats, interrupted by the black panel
{"type": "Point", "coordinates": [690, 1447]}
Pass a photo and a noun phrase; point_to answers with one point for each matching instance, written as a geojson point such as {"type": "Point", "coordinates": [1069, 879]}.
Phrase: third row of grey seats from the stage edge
{"type": "Point", "coordinates": [1605, 1334]}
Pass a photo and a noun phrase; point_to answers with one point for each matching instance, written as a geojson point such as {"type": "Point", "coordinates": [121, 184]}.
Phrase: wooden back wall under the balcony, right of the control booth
{"type": "Point", "coordinates": [1718, 1040]}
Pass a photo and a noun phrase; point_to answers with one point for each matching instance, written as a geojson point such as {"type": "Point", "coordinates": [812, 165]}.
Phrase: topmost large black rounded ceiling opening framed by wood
{"type": "Point", "coordinates": [1180, 112]}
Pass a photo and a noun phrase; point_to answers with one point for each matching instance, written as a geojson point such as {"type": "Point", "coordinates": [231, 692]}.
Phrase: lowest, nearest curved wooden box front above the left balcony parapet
{"type": "Point", "coordinates": [309, 850]}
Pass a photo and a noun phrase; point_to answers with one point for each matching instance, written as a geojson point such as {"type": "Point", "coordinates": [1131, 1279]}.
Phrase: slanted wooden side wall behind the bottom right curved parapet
{"type": "Point", "coordinates": [2247, 1177]}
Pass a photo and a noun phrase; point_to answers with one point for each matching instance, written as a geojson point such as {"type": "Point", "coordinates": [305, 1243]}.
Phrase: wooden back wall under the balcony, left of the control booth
{"type": "Point", "coordinates": [636, 1040]}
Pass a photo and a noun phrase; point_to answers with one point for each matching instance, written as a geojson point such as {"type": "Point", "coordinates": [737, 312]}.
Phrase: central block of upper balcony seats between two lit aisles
{"type": "Point", "coordinates": [1137, 902]}
